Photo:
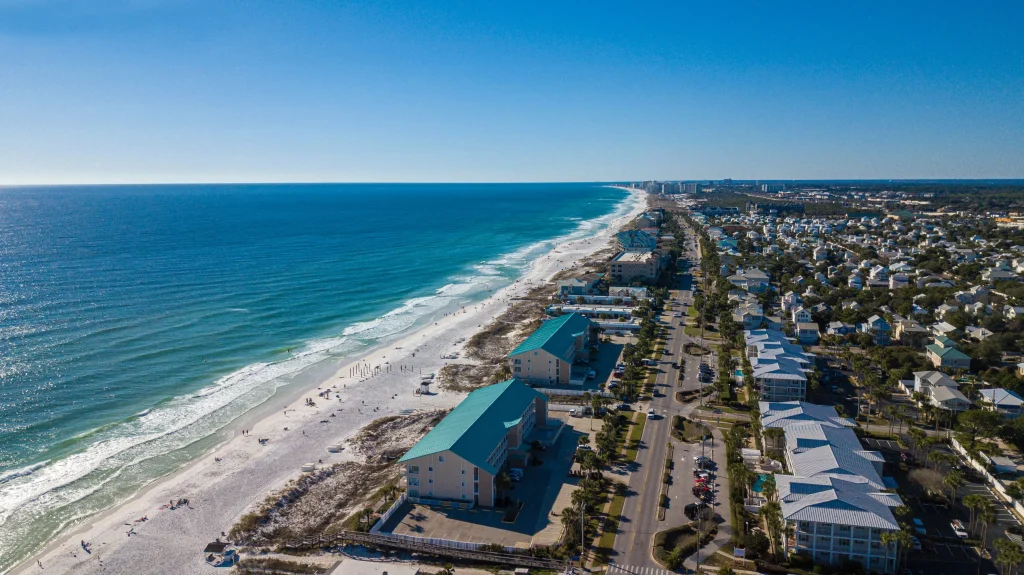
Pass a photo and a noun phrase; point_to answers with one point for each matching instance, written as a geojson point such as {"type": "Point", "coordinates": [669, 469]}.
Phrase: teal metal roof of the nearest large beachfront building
{"type": "Point", "coordinates": [479, 424]}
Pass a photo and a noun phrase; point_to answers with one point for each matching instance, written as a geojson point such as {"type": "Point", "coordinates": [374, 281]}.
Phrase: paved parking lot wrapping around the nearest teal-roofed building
{"type": "Point", "coordinates": [541, 488]}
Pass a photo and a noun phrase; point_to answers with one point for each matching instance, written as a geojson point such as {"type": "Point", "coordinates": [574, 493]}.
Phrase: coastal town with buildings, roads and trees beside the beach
{"type": "Point", "coordinates": [724, 383]}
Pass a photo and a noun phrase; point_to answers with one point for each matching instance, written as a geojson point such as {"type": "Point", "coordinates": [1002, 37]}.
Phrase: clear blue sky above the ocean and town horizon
{"type": "Point", "coordinates": [181, 91]}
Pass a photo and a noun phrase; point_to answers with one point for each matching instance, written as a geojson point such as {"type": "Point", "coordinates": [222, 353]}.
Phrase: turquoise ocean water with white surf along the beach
{"type": "Point", "coordinates": [138, 322]}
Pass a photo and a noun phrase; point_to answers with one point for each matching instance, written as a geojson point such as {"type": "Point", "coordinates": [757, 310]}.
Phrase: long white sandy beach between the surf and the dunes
{"type": "Point", "coordinates": [238, 473]}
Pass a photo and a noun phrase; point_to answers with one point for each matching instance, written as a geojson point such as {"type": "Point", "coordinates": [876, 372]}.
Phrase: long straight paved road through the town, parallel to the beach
{"type": "Point", "coordinates": [632, 551]}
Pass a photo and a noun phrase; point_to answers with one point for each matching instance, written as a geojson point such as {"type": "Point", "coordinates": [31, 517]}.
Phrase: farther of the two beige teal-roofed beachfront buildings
{"type": "Point", "coordinates": [546, 358]}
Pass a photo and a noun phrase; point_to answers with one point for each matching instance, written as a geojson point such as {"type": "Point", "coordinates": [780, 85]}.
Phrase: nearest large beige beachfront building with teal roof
{"type": "Point", "coordinates": [491, 430]}
